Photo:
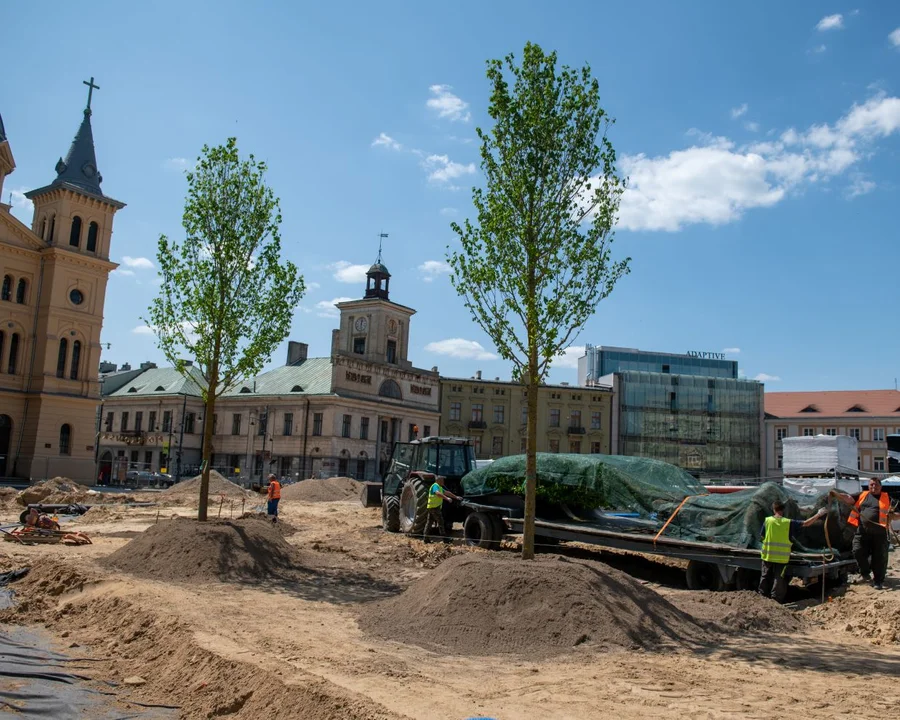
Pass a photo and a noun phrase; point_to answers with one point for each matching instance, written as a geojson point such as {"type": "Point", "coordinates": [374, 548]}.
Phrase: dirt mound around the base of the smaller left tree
{"type": "Point", "coordinates": [183, 549]}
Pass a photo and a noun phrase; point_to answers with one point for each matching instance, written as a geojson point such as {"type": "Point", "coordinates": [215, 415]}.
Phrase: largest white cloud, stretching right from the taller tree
{"type": "Point", "coordinates": [715, 181]}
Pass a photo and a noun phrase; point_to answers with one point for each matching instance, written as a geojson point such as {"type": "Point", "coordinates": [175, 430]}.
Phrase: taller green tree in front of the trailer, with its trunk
{"type": "Point", "coordinates": [537, 263]}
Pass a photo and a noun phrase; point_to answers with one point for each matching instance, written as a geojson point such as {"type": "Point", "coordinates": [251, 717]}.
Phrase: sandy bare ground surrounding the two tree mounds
{"type": "Point", "coordinates": [216, 649]}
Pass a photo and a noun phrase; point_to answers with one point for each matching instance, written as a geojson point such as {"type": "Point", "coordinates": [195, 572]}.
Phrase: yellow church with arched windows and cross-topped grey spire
{"type": "Point", "coordinates": [54, 277]}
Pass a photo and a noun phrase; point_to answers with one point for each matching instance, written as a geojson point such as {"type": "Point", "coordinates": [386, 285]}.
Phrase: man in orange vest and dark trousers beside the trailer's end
{"type": "Point", "coordinates": [870, 514]}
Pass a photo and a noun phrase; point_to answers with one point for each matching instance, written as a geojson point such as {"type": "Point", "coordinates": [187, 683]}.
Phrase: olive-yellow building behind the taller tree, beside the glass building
{"type": "Point", "coordinates": [494, 414]}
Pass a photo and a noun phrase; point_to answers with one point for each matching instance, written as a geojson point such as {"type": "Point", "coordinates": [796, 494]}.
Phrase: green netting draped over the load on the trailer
{"type": "Point", "coordinates": [589, 487]}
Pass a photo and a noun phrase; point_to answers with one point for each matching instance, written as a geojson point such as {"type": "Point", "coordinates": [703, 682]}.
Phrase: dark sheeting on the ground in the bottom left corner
{"type": "Point", "coordinates": [36, 682]}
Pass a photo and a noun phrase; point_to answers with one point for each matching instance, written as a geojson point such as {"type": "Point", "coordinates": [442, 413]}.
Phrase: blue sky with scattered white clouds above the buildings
{"type": "Point", "coordinates": [760, 141]}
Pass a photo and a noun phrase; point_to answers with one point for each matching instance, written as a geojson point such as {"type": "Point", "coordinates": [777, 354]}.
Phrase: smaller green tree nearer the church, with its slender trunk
{"type": "Point", "coordinates": [226, 299]}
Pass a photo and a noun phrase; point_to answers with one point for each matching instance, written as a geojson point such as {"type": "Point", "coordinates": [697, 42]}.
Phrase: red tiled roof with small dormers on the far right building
{"type": "Point", "coordinates": [834, 403]}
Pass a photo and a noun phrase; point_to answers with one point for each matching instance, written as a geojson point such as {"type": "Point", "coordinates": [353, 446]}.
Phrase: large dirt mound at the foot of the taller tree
{"type": "Point", "coordinates": [480, 604]}
